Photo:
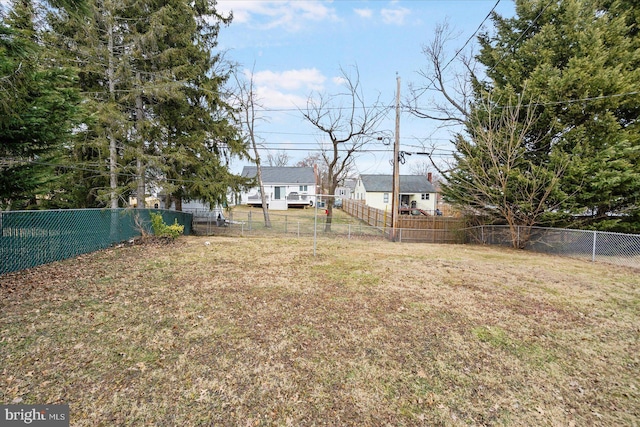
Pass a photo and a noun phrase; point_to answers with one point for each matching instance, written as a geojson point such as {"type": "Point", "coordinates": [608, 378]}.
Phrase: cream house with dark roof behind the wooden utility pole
{"type": "Point", "coordinates": [415, 192]}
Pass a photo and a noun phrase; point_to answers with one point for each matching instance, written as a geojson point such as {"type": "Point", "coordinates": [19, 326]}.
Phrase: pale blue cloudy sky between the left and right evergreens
{"type": "Point", "coordinates": [298, 49]}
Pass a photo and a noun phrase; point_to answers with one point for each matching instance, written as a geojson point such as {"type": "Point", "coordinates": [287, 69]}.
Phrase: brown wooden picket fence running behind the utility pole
{"type": "Point", "coordinates": [425, 229]}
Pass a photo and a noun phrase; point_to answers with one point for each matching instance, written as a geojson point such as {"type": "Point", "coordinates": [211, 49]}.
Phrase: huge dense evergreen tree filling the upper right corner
{"type": "Point", "coordinates": [578, 61]}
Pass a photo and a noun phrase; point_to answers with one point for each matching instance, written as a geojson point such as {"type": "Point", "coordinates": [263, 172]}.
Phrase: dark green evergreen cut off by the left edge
{"type": "Point", "coordinates": [39, 107]}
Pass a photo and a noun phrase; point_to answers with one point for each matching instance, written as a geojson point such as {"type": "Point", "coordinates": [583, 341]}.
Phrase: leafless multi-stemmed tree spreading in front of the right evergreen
{"type": "Point", "coordinates": [493, 175]}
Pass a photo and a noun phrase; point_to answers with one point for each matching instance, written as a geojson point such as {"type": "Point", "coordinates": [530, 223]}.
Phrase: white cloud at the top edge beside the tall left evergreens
{"type": "Point", "coordinates": [291, 15]}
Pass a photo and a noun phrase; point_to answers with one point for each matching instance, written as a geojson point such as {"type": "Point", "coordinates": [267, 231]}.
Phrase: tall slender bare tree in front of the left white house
{"type": "Point", "coordinates": [247, 101]}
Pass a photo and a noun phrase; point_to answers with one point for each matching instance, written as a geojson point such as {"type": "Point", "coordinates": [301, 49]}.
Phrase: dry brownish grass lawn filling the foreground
{"type": "Point", "coordinates": [257, 331]}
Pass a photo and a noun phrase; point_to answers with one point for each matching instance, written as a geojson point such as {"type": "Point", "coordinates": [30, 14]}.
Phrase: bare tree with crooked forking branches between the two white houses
{"type": "Point", "coordinates": [349, 123]}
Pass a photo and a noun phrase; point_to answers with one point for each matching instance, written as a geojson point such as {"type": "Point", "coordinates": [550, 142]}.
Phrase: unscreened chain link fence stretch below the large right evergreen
{"type": "Point", "coordinates": [613, 248]}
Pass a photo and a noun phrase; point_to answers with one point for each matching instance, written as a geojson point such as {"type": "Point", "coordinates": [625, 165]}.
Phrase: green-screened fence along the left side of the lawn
{"type": "Point", "coordinates": [31, 238]}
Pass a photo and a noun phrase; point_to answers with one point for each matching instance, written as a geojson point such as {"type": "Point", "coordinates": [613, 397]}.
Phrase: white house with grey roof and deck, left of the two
{"type": "Point", "coordinates": [284, 187]}
